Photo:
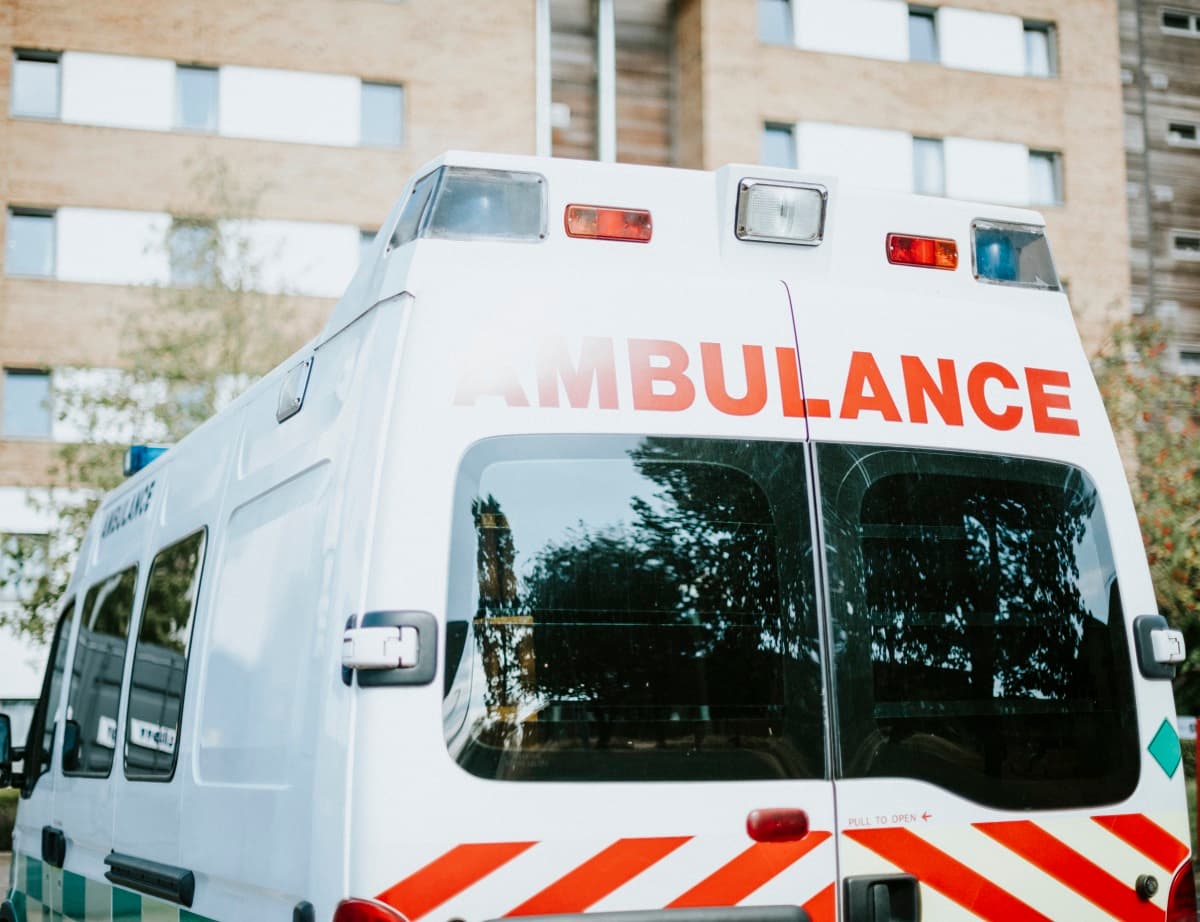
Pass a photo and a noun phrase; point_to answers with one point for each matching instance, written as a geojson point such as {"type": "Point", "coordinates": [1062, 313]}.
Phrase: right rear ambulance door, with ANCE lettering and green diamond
{"type": "Point", "coordinates": [998, 755]}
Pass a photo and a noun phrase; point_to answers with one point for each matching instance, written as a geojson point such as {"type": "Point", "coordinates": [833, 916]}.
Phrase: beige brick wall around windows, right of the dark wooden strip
{"type": "Point", "coordinates": [1078, 113]}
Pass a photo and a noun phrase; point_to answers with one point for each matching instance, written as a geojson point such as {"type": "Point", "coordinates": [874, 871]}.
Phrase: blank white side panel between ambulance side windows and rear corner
{"type": "Point", "coordinates": [272, 722]}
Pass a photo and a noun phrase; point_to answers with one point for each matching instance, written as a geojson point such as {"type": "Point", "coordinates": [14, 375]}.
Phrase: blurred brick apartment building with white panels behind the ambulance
{"type": "Point", "coordinates": [111, 109]}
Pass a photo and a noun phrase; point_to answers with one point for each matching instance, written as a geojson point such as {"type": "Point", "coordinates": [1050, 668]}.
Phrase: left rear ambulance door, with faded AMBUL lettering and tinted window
{"type": "Point", "coordinates": [615, 529]}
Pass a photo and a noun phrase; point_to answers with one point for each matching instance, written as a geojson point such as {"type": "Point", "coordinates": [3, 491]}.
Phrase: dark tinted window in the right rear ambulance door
{"type": "Point", "coordinates": [985, 646]}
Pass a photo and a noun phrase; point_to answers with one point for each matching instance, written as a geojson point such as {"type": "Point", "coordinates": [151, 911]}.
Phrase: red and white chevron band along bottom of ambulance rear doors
{"type": "Point", "coordinates": [1023, 871]}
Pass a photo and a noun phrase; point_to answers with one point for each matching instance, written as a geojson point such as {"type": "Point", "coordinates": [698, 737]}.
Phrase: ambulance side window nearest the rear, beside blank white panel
{"type": "Point", "coordinates": [160, 661]}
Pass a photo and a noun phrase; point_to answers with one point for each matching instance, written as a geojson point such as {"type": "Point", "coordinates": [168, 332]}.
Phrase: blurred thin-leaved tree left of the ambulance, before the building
{"type": "Point", "coordinates": [211, 333]}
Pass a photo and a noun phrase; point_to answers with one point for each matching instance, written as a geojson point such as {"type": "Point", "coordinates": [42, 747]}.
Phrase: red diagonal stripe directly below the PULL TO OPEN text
{"type": "Point", "coordinates": [947, 876]}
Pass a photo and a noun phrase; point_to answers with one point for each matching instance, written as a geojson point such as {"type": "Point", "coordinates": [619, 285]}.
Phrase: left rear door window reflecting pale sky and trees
{"type": "Point", "coordinates": [629, 609]}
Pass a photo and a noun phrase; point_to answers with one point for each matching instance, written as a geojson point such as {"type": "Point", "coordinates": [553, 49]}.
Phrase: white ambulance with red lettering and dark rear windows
{"type": "Point", "coordinates": [687, 547]}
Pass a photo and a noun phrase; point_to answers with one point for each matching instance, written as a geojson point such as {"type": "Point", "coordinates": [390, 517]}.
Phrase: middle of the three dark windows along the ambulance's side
{"type": "Point", "coordinates": [97, 675]}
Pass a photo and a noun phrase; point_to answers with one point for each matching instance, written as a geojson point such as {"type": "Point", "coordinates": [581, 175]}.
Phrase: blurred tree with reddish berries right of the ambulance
{"type": "Point", "coordinates": [1156, 414]}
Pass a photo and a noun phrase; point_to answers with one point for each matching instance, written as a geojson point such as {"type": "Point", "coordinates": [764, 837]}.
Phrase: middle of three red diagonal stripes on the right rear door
{"type": "Point", "coordinates": [1069, 867]}
